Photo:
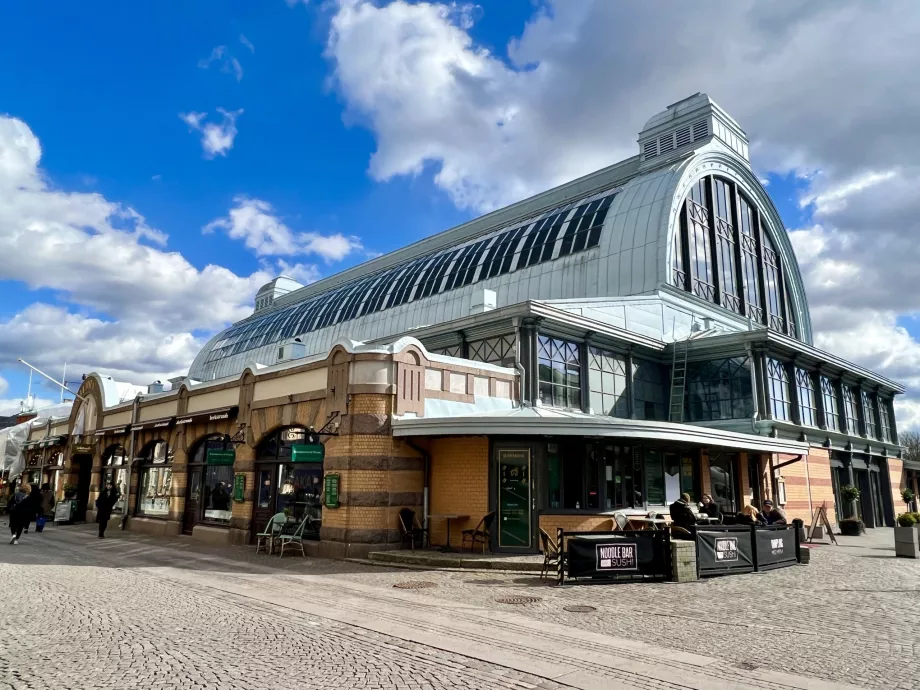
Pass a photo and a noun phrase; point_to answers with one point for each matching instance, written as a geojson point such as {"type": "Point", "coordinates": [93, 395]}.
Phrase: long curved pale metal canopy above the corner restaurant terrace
{"type": "Point", "coordinates": [542, 421]}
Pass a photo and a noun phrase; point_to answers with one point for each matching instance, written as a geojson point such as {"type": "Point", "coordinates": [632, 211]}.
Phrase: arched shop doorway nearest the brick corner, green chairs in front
{"type": "Point", "coordinates": [289, 478]}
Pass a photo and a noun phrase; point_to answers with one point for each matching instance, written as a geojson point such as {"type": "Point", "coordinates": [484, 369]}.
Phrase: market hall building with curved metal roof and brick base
{"type": "Point", "coordinates": [604, 346]}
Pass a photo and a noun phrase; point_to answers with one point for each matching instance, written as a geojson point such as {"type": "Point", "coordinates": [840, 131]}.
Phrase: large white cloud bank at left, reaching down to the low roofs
{"type": "Point", "coordinates": [150, 307]}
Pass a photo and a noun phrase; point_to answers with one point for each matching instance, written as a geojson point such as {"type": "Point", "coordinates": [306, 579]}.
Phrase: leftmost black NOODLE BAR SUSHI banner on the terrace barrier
{"type": "Point", "coordinates": [615, 555]}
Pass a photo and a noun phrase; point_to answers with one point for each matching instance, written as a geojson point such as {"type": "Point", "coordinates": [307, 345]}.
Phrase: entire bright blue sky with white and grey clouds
{"type": "Point", "coordinates": [347, 128]}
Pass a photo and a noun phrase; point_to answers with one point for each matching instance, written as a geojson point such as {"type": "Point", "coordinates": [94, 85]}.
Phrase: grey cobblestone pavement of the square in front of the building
{"type": "Point", "coordinates": [842, 618]}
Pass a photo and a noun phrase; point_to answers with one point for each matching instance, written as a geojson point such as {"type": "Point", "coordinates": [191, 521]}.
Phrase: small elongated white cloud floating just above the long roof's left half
{"type": "Point", "coordinates": [254, 222]}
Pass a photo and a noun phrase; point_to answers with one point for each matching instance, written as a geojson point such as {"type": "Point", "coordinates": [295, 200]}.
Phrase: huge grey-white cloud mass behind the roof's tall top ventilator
{"type": "Point", "coordinates": [819, 86]}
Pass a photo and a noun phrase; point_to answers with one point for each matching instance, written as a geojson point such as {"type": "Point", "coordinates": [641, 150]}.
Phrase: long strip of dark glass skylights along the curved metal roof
{"type": "Point", "coordinates": [559, 232]}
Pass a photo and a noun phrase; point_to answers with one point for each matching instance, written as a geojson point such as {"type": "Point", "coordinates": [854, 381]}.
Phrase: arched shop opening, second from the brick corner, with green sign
{"type": "Point", "coordinates": [210, 483]}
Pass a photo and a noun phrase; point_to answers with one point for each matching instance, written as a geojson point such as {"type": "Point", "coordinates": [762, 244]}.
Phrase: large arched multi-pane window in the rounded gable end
{"type": "Point", "coordinates": [723, 254]}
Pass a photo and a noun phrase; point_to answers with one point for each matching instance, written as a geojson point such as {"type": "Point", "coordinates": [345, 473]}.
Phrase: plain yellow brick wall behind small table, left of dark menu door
{"type": "Point", "coordinates": [459, 482]}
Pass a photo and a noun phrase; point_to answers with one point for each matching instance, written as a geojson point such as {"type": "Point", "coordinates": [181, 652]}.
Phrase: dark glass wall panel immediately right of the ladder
{"type": "Point", "coordinates": [720, 389]}
